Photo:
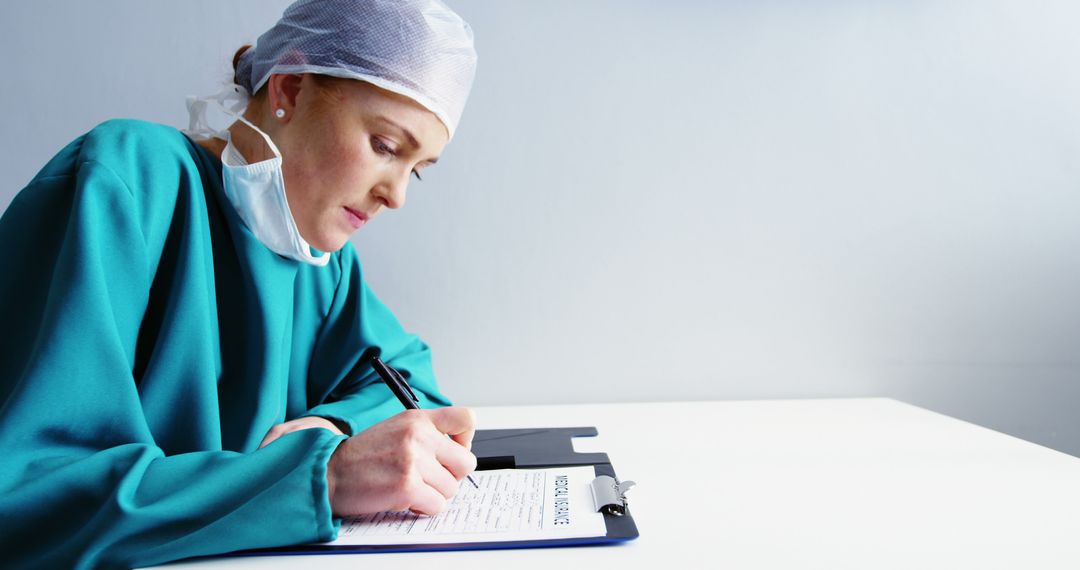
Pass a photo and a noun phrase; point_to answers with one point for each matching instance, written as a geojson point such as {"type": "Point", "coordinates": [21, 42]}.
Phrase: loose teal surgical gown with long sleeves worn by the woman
{"type": "Point", "coordinates": [152, 343]}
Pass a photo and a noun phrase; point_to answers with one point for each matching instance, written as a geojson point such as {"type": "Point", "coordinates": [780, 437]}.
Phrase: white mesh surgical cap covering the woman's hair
{"type": "Point", "coordinates": [420, 49]}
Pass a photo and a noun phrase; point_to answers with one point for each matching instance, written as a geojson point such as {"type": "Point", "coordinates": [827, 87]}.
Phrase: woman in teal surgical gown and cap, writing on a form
{"type": "Point", "coordinates": [185, 310]}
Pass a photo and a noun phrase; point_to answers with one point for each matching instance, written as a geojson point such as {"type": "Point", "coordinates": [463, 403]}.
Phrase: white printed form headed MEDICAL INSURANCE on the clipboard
{"type": "Point", "coordinates": [509, 506]}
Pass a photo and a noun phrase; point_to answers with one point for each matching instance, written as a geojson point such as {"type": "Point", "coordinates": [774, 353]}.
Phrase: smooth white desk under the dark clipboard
{"type": "Point", "coordinates": [830, 484]}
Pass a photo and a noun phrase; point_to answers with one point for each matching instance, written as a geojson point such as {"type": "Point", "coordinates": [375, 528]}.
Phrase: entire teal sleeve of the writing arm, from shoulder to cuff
{"type": "Point", "coordinates": [83, 483]}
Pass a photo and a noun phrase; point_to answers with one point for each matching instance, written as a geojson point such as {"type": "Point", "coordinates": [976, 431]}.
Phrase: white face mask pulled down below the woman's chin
{"type": "Point", "coordinates": [258, 192]}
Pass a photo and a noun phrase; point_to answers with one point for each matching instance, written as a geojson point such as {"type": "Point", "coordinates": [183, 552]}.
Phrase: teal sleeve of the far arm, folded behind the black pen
{"type": "Point", "coordinates": [357, 327]}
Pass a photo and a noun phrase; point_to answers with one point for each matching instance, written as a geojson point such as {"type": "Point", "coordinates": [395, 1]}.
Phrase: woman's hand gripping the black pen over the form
{"type": "Point", "coordinates": [403, 464]}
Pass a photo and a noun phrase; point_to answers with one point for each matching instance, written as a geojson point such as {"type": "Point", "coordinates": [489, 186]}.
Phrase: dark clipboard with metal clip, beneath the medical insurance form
{"type": "Point", "coordinates": [495, 450]}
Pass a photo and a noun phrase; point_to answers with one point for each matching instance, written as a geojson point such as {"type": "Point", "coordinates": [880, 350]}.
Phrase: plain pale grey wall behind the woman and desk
{"type": "Point", "coordinates": [659, 201]}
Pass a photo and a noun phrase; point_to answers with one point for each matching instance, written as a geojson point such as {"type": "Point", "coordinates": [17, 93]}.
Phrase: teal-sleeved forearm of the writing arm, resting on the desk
{"type": "Point", "coordinates": [131, 507]}
